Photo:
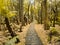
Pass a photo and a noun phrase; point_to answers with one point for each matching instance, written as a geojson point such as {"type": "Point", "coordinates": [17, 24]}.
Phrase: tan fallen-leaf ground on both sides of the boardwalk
{"type": "Point", "coordinates": [42, 34]}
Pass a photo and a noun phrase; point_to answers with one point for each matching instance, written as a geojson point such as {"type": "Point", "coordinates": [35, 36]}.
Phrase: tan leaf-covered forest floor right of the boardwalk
{"type": "Point", "coordinates": [43, 34]}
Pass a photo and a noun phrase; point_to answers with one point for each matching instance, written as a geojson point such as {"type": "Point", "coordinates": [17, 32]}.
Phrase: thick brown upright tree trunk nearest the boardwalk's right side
{"type": "Point", "coordinates": [46, 23]}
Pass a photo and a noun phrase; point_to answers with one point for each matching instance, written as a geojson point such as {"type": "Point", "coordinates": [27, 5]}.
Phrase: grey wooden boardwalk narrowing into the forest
{"type": "Point", "coordinates": [32, 37]}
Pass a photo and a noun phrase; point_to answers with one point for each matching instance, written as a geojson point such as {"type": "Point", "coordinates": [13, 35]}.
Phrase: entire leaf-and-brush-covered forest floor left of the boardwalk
{"type": "Point", "coordinates": [20, 35]}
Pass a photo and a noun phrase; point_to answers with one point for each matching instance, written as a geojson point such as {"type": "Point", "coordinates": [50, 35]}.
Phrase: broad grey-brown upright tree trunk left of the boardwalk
{"type": "Point", "coordinates": [21, 16]}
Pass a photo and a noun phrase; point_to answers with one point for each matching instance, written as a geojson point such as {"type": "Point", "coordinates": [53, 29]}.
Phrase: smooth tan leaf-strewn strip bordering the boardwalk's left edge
{"type": "Point", "coordinates": [22, 35]}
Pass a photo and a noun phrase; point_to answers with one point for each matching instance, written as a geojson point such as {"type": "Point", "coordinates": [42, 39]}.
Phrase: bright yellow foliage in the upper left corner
{"type": "Point", "coordinates": [4, 4]}
